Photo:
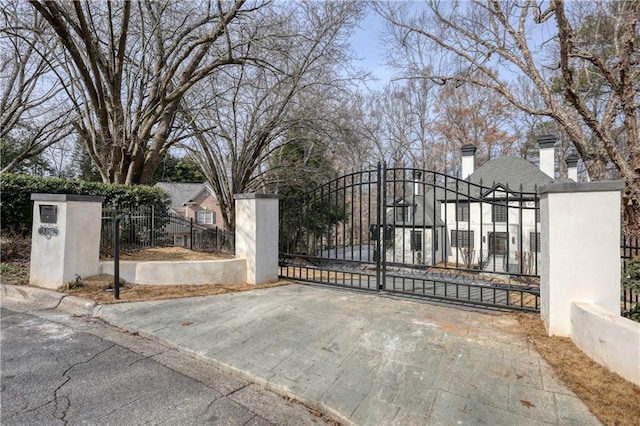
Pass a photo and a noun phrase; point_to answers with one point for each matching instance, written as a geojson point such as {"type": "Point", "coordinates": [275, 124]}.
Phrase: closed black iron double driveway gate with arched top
{"type": "Point", "coordinates": [416, 232]}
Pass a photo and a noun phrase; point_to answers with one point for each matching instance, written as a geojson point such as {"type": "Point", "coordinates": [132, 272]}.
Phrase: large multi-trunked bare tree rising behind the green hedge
{"type": "Point", "coordinates": [126, 67]}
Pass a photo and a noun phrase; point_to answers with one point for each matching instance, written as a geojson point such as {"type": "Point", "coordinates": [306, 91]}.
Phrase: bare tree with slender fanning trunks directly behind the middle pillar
{"type": "Point", "coordinates": [300, 84]}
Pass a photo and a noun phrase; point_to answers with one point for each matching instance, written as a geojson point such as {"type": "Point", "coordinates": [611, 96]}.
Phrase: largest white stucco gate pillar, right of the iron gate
{"type": "Point", "coordinates": [580, 250]}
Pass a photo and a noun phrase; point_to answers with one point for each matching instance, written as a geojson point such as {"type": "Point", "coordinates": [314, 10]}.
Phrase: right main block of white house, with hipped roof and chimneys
{"type": "Point", "coordinates": [492, 222]}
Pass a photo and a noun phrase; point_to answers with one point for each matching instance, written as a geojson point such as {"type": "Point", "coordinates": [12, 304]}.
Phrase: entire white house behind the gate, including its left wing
{"type": "Point", "coordinates": [488, 220]}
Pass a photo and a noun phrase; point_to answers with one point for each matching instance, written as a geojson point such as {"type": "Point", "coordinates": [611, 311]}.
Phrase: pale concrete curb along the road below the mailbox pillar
{"type": "Point", "coordinates": [47, 299]}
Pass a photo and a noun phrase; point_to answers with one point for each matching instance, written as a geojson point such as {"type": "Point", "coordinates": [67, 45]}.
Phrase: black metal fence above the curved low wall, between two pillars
{"type": "Point", "coordinates": [146, 226]}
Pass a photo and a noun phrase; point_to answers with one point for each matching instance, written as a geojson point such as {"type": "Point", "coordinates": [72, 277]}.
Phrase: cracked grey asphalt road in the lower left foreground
{"type": "Point", "coordinates": [61, 369]}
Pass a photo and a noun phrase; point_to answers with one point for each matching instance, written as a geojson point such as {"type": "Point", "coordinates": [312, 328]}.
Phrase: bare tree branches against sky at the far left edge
{"type": "Point", "coordinates": [32, 117]}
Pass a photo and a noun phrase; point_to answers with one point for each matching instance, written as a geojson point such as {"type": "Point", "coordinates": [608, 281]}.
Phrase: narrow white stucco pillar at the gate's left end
{"type": "Point", "coordinates": [257, 236]}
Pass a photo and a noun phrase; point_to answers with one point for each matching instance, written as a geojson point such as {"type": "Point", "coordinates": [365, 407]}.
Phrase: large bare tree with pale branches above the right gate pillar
{"type": "Point", "coordinates": [456, 42]}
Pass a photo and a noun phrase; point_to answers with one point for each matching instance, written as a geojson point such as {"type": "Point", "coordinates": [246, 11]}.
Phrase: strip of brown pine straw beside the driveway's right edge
{"type": "Point", "coordinates": [612, 399]}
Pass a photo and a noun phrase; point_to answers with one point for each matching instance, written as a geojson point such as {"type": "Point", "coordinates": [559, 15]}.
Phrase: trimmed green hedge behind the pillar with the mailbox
{"type": "Point", "coordinates": [16, 205]}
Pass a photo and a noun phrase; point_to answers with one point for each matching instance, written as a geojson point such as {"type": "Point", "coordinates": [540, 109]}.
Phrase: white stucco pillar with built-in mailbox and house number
{"type": "Point", "coordinates": [65, 239]}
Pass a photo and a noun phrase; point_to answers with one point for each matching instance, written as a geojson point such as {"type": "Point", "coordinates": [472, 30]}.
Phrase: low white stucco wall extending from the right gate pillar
{"type": "Point", "coordinates": [610, 340]}
